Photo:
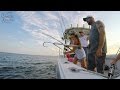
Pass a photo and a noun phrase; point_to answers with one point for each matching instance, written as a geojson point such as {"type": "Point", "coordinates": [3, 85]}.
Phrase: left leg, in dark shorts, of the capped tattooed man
{"type": "Point", "coordinates": [91, 62]}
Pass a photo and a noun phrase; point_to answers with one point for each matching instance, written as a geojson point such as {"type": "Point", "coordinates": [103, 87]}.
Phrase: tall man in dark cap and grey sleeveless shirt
{"type": "Point", "coordinates": [97, 45]}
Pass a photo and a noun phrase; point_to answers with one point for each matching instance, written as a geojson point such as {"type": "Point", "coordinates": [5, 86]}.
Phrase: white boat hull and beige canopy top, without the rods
{"type": "Point", "coordinates": [67, 70]}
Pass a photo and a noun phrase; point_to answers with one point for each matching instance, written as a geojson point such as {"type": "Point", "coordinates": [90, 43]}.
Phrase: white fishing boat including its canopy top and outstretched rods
{"type": "Point", "coordinates": [67, 70]}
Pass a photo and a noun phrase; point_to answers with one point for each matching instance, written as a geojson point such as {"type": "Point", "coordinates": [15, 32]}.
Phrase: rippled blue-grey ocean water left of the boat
{"type": "Point", "coordinates": [20, 66]}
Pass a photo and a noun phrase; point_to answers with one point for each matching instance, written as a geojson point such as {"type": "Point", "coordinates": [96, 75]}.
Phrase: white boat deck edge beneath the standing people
{"type": "Point", "coordinates": [68, 70]}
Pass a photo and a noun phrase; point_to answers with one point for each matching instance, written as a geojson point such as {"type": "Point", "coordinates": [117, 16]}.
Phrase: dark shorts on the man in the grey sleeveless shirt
{"type": "Point", "coordinates": [97, 62]}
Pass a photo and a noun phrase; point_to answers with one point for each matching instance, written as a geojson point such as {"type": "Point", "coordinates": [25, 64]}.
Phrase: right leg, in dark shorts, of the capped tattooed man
{"type": "Point", "coordinates": [100, 63]}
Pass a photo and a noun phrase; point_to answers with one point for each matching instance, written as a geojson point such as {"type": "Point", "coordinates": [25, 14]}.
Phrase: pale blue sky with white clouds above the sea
{"type": "Point", "coordinates": [25, 32]}
